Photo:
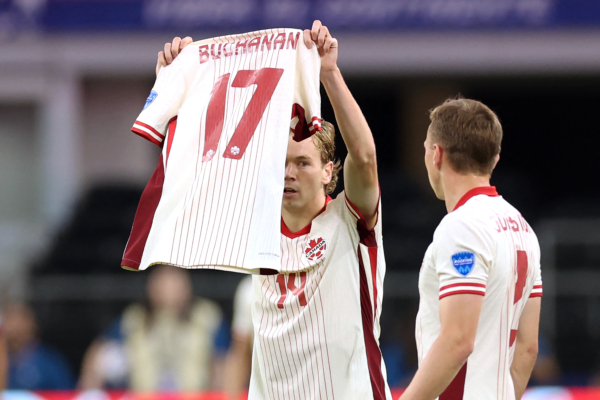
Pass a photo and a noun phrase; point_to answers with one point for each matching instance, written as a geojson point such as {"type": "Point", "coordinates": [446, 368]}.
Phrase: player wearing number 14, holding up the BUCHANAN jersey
{"type": "Point", "coordinates": [316, 324]}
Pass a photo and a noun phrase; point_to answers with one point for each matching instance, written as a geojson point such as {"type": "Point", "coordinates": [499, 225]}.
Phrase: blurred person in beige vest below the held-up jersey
{"type": "Point", "coordinates": [173, 342]}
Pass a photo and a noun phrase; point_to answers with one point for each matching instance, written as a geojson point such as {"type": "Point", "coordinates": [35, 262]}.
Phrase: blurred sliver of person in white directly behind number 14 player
{"type": "Point", "coordinates": [239, 357]}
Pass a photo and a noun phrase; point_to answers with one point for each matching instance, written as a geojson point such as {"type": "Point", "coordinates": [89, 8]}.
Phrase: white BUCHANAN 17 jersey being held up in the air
{"type": "Point", "coordinates": [223, 111]}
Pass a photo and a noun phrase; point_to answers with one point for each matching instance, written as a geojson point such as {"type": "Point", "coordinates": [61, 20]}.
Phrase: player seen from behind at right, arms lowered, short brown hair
{"type": "Point", "coordinates": [480, 282]}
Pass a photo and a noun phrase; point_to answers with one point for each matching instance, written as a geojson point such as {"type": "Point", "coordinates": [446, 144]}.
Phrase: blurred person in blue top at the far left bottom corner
{"type": "Point", "coordinates": [32, 366]}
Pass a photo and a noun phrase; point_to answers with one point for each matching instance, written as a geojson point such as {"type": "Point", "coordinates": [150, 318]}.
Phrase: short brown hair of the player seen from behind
{"type": "Point", "coordinates": [470, 134]}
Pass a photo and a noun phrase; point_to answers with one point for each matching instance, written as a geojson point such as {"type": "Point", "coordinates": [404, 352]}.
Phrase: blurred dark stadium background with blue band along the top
{"type": "Point", "coordinates": [74, 75]}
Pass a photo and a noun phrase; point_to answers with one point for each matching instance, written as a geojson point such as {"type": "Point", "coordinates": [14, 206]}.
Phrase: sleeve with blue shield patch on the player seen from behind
{"type": "Point", "coordinates": [462, 258]}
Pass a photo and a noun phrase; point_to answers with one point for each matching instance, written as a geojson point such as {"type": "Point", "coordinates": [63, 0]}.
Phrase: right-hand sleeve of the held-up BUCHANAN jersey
{"type": "Point", "coordinates": [306, 108]}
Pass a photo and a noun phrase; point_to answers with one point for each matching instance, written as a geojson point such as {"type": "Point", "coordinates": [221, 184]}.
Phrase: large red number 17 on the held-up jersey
{"type": "Point", "coordinates": [266, 80]}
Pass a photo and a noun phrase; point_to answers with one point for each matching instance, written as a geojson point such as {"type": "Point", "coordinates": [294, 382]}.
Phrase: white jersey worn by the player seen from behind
{"type": "Point", "coordinates": [483, 247]}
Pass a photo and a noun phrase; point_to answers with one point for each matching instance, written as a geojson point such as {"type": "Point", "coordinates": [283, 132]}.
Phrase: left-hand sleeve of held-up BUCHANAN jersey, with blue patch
{"type": "Point", "coordinates": [163, 103]}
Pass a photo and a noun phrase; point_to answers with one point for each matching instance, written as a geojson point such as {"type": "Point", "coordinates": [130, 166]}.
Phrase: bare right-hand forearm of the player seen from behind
{"type": "Point", "coordinates": [526, 345]}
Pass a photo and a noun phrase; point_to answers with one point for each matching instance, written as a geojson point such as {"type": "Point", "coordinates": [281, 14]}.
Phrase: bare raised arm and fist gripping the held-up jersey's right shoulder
{"type": "Point", "coordinates": [360, 166]}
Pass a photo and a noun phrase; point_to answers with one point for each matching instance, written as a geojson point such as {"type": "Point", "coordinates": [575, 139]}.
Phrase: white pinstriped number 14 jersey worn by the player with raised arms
{"type": "Point", "coordinates": [316, 325]}
